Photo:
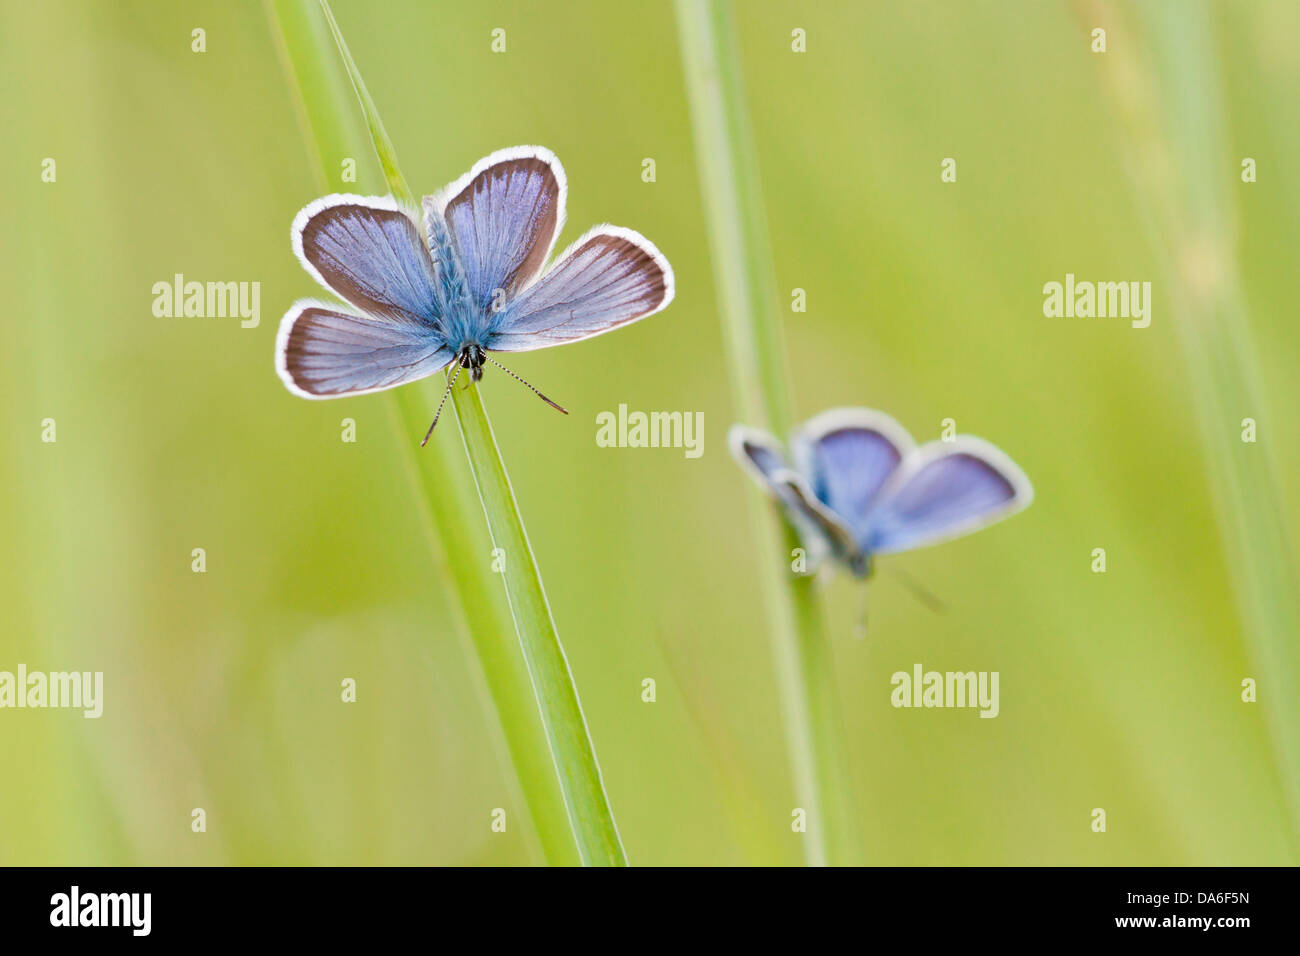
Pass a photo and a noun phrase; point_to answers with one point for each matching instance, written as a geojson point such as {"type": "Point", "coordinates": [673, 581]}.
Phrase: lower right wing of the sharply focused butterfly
{"type": "Point", "coordinates": [608, 279]}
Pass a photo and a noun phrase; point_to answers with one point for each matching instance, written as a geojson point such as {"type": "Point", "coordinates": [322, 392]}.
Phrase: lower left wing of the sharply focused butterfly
{"type": "Point", "coordinates": [324, 353]}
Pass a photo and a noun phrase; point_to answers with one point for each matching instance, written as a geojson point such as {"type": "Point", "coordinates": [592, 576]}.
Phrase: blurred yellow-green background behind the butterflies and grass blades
{"type": "Point", "coordinates": [1120, 691]}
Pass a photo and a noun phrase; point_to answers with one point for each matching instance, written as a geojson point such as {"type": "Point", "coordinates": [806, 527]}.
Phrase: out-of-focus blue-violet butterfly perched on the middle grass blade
{"type": "Point", "coordinates": [860, 487]}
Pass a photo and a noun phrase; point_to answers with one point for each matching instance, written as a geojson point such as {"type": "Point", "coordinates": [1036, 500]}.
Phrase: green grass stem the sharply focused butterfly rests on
{"type": "Point", "coordinates": [534, 691]}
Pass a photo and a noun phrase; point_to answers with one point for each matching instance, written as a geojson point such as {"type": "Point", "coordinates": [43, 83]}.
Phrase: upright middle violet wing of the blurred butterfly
{"type": "Point", "coordinates": [847, 456]}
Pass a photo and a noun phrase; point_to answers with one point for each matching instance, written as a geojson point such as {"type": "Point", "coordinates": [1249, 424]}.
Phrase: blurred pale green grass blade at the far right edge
{"type": "Point", "coordinates": [1168, 92]}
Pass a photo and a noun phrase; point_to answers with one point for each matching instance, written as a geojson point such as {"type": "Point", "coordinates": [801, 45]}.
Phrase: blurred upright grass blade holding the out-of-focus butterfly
{"type": "Point", "coordinates": [747, 299]}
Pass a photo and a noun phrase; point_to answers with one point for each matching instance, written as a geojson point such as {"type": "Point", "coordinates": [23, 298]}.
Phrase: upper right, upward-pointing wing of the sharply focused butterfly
{"type": "Point", "coordinates": [504, 217]}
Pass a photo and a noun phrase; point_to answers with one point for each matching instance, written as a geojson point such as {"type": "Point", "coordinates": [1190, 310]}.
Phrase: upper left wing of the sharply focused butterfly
{"type": "Point", "coordinates": [369, 250]}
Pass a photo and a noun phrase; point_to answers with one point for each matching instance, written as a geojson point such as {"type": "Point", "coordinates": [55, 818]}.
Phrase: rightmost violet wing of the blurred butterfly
{"type": "Point", "coordinates": [943, 491]}
